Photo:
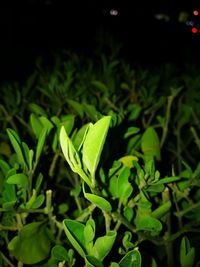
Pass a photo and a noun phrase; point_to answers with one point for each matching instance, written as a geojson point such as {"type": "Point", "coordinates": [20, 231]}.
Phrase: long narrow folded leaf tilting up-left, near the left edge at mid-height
{"type": "Point", "coordinates": [16, 143]}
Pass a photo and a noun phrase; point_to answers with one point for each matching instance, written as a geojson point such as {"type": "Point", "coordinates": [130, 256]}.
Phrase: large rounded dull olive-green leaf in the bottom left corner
{"type": "Point", "coordinates": [31, 245]}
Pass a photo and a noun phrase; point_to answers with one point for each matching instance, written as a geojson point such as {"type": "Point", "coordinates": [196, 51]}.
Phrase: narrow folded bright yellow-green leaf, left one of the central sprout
{"type": "Point", "coordinates": [71, 155]}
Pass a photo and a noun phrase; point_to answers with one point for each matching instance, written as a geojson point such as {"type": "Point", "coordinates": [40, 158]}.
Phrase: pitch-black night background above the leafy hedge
{"type": "Point", "coordinates": [29, 28]}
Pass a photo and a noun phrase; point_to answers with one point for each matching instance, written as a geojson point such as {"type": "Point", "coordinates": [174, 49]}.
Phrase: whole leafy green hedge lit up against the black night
{"type": "Point", "coordinates": [99, 166]}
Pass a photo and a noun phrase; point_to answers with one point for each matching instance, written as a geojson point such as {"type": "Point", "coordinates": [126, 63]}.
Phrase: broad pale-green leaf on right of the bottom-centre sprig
{"type": "Point", "coordinates": [103, 245]}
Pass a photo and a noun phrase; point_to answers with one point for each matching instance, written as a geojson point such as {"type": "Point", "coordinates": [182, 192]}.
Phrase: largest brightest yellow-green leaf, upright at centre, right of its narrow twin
{"type": "Point", "coordinates": [94, 142]}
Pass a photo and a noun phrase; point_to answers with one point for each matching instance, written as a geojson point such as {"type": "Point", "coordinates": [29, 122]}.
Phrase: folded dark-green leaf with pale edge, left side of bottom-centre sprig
{"type": "Point", "coordinates": [75, 233]}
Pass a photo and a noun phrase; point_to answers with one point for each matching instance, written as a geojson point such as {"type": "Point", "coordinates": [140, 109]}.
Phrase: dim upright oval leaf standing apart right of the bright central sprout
{"type": "Point", "coordinates": [150, 144]}
